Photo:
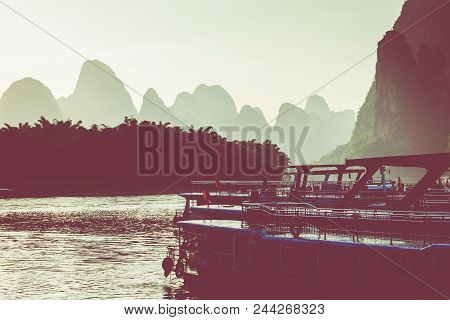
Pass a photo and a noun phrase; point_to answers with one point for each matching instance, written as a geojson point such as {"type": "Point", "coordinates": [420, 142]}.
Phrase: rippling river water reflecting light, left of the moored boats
{"type": "Point", "coordinates": [87, 248]}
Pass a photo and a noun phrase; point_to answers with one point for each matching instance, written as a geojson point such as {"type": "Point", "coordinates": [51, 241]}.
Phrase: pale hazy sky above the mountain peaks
{"type": "Point", "coordinates": [264, 53]}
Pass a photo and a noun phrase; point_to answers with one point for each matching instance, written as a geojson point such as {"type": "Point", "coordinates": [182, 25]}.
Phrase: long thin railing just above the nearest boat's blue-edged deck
{"type": "Point", "coordinates": [305, 209]}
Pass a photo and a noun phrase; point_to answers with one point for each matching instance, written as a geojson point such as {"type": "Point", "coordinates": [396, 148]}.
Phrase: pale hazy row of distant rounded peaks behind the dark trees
{"type": "Point", "coordinates": [101, 98]}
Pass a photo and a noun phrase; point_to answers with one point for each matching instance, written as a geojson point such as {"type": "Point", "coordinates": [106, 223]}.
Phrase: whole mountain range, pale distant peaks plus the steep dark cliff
{"type": "Point", "coordinates": [407, 109]}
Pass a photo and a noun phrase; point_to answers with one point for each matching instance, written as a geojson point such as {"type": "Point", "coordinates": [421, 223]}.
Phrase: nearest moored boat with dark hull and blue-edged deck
{"type": "Point", "coordinates": [268, 261]}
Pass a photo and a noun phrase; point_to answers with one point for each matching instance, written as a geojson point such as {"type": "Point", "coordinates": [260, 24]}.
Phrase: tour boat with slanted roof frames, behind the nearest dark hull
{"type": "Point", "coordinates": [359, 191]}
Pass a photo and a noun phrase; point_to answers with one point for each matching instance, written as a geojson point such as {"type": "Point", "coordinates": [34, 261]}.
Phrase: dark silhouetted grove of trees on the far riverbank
{"type": "Point", "coordinates": [64, 151]}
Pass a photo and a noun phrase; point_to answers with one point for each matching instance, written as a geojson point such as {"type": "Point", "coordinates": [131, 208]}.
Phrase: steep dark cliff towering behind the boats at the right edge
{"type": "Point", "coordinates": [407, 109]}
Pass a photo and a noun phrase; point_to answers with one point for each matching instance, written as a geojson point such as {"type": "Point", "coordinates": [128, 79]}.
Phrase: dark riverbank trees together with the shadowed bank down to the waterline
{"type": "Point", "coordinates": [62, 158]}
